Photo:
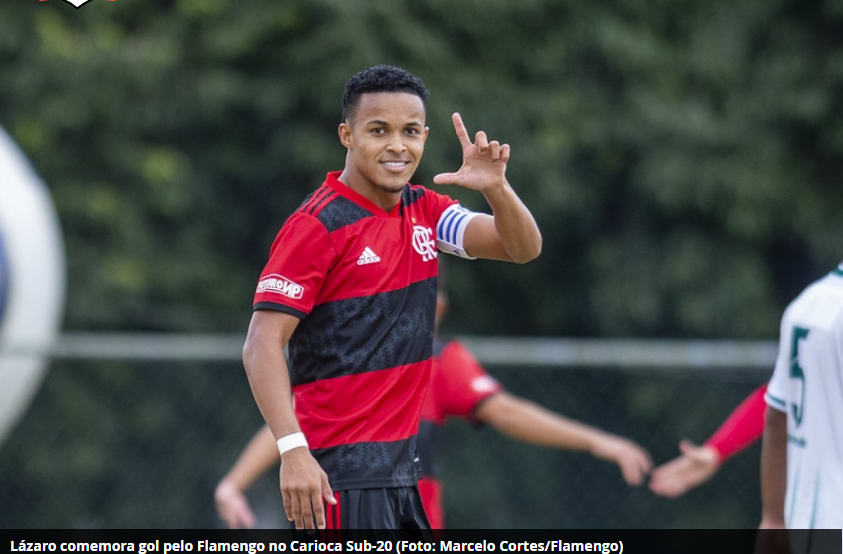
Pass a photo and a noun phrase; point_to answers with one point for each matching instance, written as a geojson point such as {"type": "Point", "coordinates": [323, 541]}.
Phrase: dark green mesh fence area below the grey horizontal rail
{"type": "Point", "coordinates": [112, 444]}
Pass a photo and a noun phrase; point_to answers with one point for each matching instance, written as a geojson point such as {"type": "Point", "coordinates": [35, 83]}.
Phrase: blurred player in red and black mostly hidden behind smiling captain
{"type": "Point", "coordinates": [460, 388]}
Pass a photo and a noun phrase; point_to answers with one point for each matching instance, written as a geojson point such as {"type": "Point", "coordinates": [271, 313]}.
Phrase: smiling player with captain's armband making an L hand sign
{"type": "Point", "coordinates": [351, 284]}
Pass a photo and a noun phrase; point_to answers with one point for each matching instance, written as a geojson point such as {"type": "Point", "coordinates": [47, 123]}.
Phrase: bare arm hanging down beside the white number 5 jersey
{"type": "Point", "coordinates": [773, 469]}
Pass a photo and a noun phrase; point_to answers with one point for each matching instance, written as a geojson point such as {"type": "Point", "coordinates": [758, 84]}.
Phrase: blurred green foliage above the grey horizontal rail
{"type": "Point", "coordinates": [682, 158]}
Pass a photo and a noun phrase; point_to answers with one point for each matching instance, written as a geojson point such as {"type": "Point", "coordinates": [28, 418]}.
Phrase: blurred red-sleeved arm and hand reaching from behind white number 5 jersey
{"type": "Point", "coordinates": [697, 464]}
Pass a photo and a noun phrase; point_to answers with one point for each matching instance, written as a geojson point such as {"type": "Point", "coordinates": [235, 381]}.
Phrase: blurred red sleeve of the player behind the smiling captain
{"type": "Point", "coordinates": [465, 383]}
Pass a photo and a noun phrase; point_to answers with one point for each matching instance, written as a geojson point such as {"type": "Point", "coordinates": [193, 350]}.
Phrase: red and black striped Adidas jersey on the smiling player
{"type": "Point", "coordinates": [363, 283]}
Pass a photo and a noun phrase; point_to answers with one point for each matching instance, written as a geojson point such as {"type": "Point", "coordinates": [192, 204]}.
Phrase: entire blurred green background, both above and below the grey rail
{"type": "Point", "coordinates": [681, 158]}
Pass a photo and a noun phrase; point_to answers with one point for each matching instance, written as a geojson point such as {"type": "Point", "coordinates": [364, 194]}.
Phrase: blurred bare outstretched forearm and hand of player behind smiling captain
{"type": "Point", "coordinates": [528, 422]}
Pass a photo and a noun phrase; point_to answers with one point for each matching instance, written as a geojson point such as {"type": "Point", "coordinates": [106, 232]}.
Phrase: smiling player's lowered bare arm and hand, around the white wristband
{"type": "Point", "coordinates": [303, 482]}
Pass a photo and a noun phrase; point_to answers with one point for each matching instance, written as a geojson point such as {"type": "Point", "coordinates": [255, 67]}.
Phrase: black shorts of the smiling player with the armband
{"type": "Point", "coordinates": [390, 508]}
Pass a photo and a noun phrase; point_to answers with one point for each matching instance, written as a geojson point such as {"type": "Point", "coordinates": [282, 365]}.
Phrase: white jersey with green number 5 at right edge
{"type": "Point", "coordinates": [807, 384]}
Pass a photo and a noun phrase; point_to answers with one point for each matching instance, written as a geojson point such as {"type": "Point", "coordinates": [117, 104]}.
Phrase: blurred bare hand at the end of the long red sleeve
{"type": "Point", "coordinates": [693, 467]}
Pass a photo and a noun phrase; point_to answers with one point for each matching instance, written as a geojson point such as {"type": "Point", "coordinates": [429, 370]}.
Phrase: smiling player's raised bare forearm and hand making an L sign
{"type": "Point", "coordinates": [511, 233]}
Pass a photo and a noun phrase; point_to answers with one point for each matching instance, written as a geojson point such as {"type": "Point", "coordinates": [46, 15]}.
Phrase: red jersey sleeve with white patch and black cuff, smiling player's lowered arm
{"type": "Point", "coordinates": [298, 262]}
